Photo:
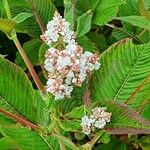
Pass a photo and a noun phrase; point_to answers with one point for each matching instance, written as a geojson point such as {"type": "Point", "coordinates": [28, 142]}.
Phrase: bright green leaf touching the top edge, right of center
{"type": "Point", "coordinates": [106, 11]}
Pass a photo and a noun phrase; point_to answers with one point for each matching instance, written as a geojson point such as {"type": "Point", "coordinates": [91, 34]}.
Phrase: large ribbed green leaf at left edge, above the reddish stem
{"type": "Point", "coordinates": [16, 90]}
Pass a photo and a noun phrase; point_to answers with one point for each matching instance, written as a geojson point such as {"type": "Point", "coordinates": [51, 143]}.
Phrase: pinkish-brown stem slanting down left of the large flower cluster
{"type": "Point", "coordinates": [29, 65]}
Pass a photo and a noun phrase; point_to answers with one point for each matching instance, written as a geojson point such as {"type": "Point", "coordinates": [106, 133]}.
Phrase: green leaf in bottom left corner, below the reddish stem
{"type": "Point", "coordinates": [25, 139]}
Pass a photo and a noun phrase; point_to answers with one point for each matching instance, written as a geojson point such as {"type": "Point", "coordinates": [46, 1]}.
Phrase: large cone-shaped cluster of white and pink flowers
{"type": "Point", "coordinates": [66, 62]}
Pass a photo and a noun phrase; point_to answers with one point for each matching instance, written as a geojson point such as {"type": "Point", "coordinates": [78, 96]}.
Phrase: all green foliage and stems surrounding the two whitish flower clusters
{"type": "Point", "coordinates": [30, 118]}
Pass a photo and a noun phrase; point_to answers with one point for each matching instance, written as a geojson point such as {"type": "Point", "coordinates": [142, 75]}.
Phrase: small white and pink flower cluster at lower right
{"type": "Point", "coordinates": [98, 119]}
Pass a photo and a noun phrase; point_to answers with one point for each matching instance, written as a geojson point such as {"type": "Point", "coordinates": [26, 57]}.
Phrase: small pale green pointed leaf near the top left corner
{"type": "Point", "coordinates": [22, 17]}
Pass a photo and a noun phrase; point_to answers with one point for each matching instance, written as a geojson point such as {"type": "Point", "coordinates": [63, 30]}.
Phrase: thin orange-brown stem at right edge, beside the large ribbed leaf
{"type": "Point", "coordinates": [137, 90]}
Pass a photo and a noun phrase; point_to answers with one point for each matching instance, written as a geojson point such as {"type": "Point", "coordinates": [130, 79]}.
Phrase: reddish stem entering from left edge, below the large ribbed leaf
{"type": "Point", "coordinates": [20, 120]}
